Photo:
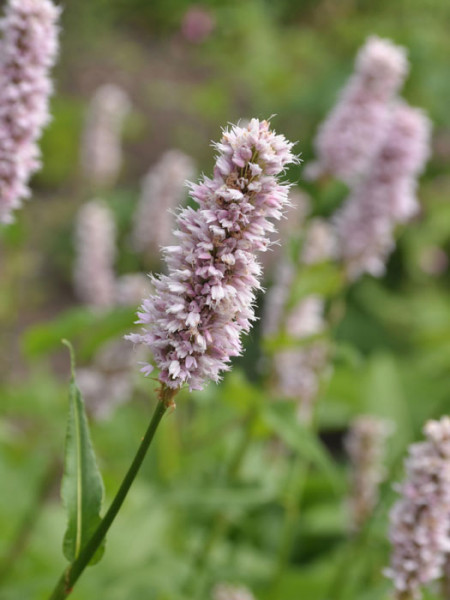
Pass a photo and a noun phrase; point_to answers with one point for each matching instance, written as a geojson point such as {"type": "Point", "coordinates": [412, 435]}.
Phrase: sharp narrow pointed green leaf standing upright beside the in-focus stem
{"type": "Point", "coordinates": [82, 485]}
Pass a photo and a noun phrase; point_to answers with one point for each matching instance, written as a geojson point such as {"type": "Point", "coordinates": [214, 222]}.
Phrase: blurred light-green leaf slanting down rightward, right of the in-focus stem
{"type": "Point", "coordinates": [282, 419]}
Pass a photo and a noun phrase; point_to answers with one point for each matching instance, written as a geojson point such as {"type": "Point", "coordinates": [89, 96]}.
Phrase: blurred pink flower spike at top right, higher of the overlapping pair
{"type": "Point", "coordinates": [353, 133]}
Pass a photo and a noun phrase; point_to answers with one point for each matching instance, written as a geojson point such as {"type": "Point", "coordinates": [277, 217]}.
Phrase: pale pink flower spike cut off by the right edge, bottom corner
{"type": "Point", "coordinates": [420, 520]}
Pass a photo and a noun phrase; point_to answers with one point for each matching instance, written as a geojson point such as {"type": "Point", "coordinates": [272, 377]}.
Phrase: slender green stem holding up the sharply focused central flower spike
{"type": "Point", "coordinates": [68, 579]}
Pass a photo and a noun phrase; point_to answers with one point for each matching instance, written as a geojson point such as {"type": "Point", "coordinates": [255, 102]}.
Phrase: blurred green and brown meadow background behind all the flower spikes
{"type": "Point", "coordinates": [392, 347]}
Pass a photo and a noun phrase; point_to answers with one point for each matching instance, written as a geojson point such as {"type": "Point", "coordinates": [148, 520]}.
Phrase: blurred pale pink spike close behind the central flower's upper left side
{"type": "Point", "coordinates": [163, 189]}
